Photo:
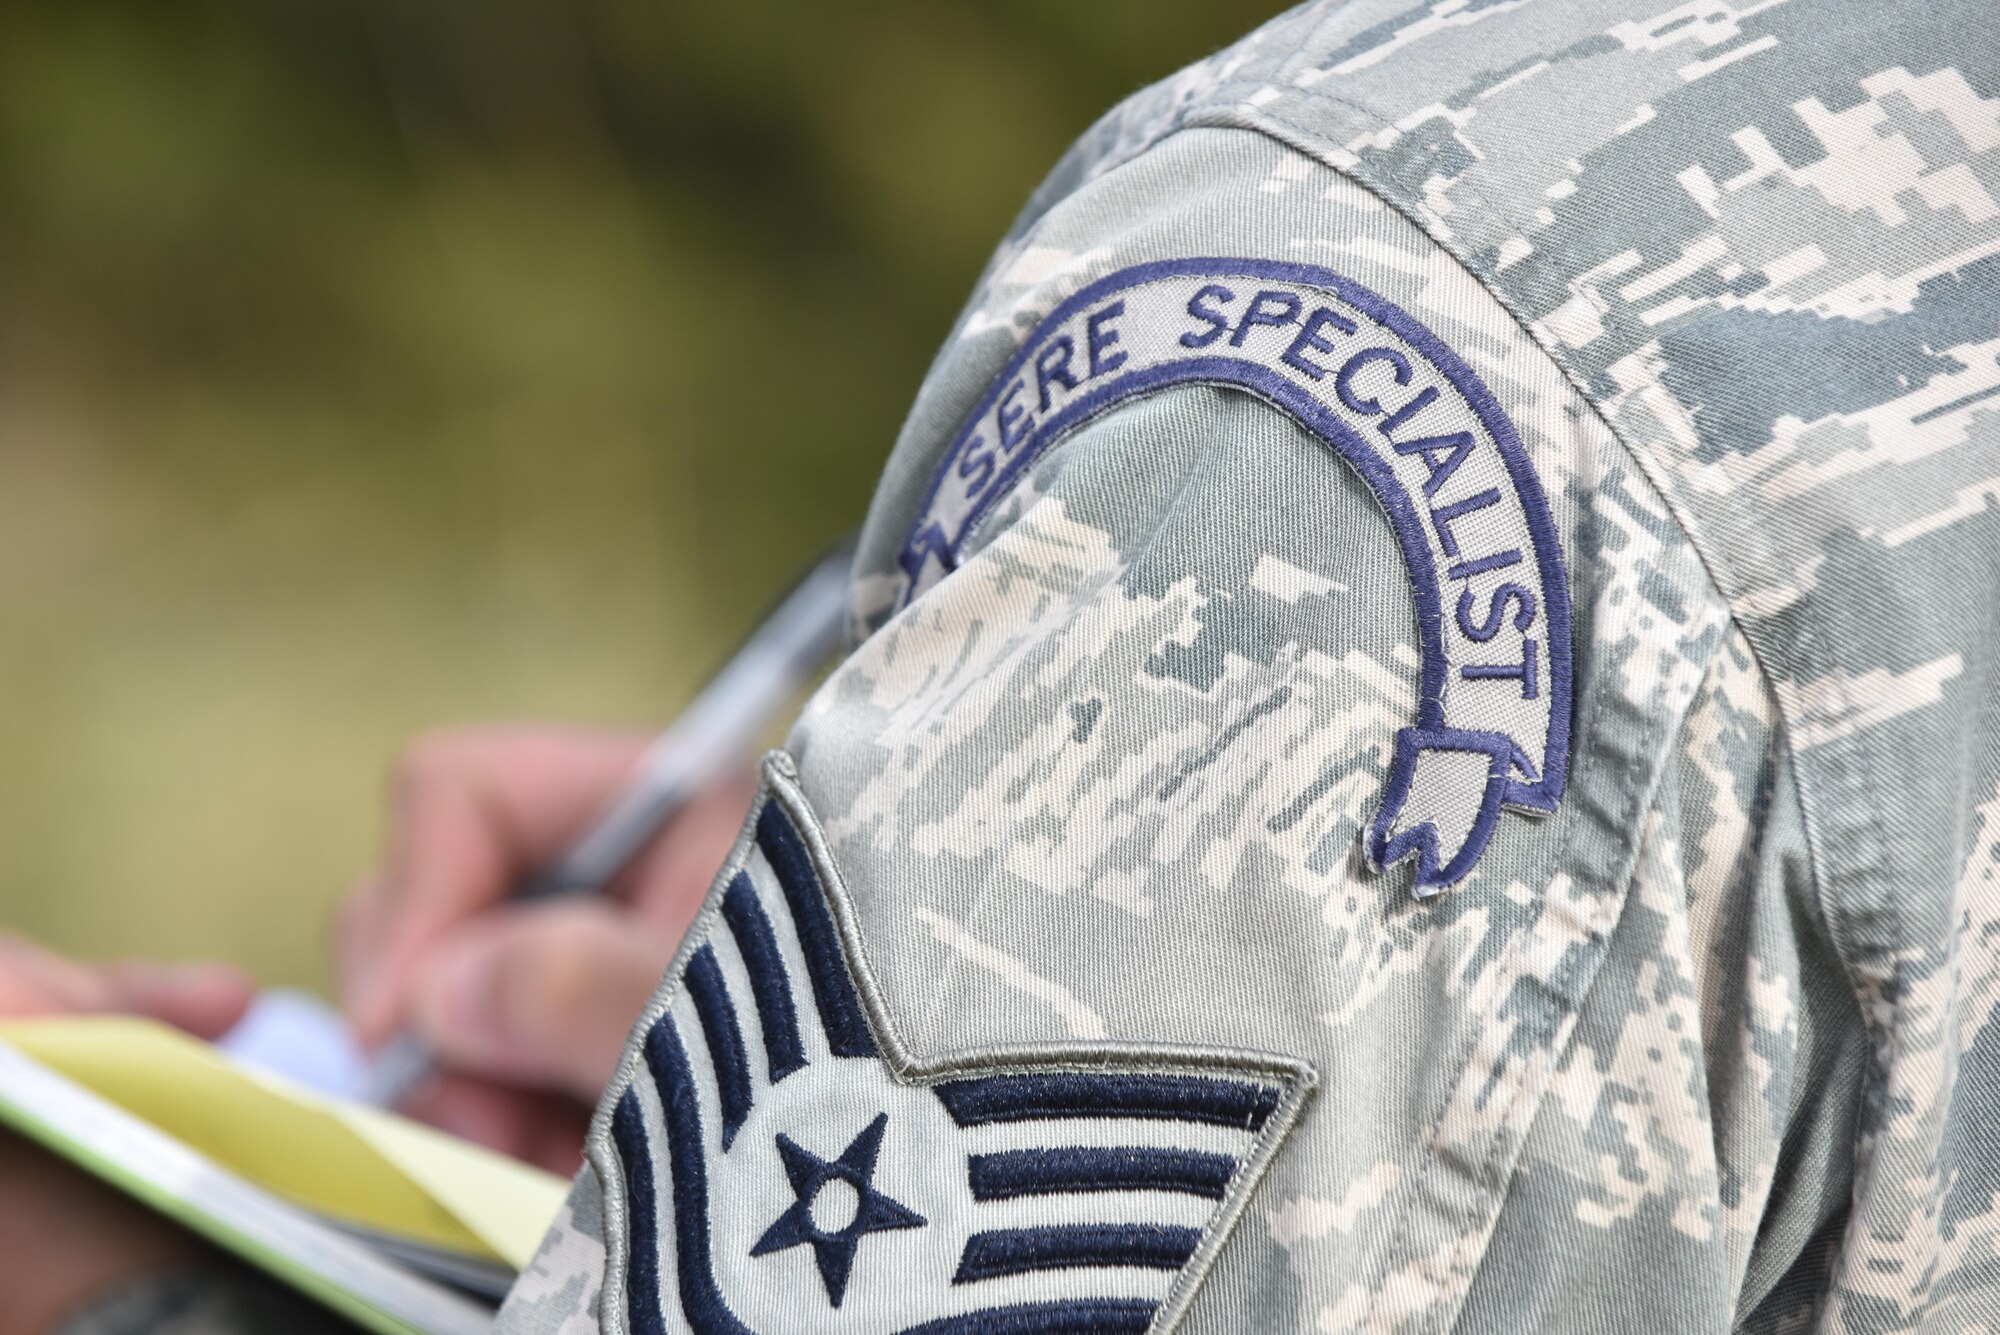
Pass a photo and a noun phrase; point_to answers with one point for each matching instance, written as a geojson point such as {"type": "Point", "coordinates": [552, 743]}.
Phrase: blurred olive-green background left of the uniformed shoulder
{"type": "Point", "coordinates": [373, 365]}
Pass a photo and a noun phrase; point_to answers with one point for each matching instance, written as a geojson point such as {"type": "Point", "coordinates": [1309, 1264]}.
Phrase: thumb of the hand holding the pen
{"type": "Point", "coordinates": [539, 996]}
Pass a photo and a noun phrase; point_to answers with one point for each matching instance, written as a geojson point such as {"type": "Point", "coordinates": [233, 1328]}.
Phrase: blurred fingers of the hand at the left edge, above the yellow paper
{"type": "Point", "coordinates": [201, 998]}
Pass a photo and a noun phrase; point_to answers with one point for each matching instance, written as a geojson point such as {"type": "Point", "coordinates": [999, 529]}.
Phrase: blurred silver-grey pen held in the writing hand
{"type": "Point", "coordinates": [717, 728]}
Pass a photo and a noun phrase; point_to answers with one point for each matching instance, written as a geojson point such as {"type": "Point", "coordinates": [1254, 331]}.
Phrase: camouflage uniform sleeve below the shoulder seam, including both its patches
{"type": "Point", "coordinates": [1221, 892]}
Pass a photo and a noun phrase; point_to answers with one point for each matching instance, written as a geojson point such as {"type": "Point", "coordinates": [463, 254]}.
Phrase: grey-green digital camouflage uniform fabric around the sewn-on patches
{"type": "Point", "coordinates": [1711, 1046]}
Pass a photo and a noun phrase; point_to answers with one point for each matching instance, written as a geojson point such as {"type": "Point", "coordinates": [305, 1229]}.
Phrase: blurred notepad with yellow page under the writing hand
{"type": "Point", "coordinates": [371, 1172]}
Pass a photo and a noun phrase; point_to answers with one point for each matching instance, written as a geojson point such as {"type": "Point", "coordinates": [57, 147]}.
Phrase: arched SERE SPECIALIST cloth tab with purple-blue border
{"type": "Point", "coordinates": [1383, 393]}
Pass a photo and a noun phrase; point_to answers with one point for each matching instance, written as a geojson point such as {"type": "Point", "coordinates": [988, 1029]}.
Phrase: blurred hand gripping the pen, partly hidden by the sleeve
{"type": "Point", "coordinates": [525, 1006]}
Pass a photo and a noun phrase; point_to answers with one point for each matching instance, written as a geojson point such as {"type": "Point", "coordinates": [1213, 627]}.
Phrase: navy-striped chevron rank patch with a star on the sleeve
{"type": "Point", "coordinates": [775, 1166]}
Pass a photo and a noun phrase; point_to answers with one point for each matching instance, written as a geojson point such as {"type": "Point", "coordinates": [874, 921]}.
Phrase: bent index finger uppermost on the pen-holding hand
{"type": "Point", "coordinates": [473, 812]}
